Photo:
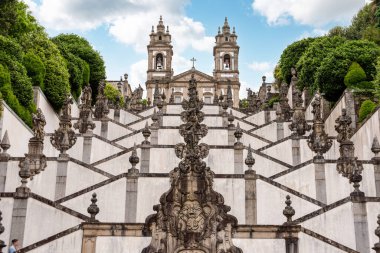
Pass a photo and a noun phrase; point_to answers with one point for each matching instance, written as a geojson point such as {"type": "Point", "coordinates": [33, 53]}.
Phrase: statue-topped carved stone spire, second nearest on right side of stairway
{"type": "Point", "coordinates": [318, 141]}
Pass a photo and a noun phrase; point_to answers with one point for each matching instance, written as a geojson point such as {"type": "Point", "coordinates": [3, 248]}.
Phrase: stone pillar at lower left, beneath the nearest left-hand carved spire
{"type": "Point", "coordinates": [20, 206]}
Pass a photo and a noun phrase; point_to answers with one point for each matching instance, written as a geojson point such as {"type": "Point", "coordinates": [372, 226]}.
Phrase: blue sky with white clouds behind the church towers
{"type": "Point", "coordinates": [119, 30]}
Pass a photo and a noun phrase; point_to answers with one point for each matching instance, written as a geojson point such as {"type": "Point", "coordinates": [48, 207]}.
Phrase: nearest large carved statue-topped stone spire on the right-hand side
{"type": "Point", "coordinates": [347, 163]}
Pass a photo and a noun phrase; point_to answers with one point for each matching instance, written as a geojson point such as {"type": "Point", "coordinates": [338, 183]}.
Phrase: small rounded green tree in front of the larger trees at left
{"type": "Point", "coordinates": [35, 69]}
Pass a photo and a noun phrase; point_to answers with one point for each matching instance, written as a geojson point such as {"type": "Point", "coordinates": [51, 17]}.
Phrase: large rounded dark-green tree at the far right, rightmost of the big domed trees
{"type": "Point", "coordinates": [334, 67]}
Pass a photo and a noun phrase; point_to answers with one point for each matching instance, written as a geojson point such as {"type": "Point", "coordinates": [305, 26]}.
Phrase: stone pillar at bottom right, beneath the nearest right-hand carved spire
{"type": "Point", "coordinates": [359, 209]}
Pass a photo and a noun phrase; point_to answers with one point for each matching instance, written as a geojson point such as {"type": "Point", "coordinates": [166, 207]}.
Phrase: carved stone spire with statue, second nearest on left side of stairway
{"type": "Point", "coordinates": [64, 137]}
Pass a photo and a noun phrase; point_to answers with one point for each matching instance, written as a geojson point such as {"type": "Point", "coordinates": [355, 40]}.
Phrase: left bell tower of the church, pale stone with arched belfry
{"type": "Point", "coordinates": [160, 54]}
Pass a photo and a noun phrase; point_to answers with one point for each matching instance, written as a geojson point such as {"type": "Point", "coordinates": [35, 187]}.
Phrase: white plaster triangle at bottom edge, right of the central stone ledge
{"type": "Point", "coordinates": [309, 244]}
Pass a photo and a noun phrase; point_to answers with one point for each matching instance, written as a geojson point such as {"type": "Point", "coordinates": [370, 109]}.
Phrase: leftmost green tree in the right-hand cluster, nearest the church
{"type": "Point", "coordinates": [291, 56]}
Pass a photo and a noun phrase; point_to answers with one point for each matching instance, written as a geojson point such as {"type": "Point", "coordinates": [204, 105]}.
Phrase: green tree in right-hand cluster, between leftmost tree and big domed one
{"type": "Point", "coordinates": [312, 58]}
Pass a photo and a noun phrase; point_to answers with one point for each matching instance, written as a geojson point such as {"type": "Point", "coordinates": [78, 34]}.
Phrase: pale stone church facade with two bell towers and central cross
{"type": "Point", "coordinates": [226, 67]}
